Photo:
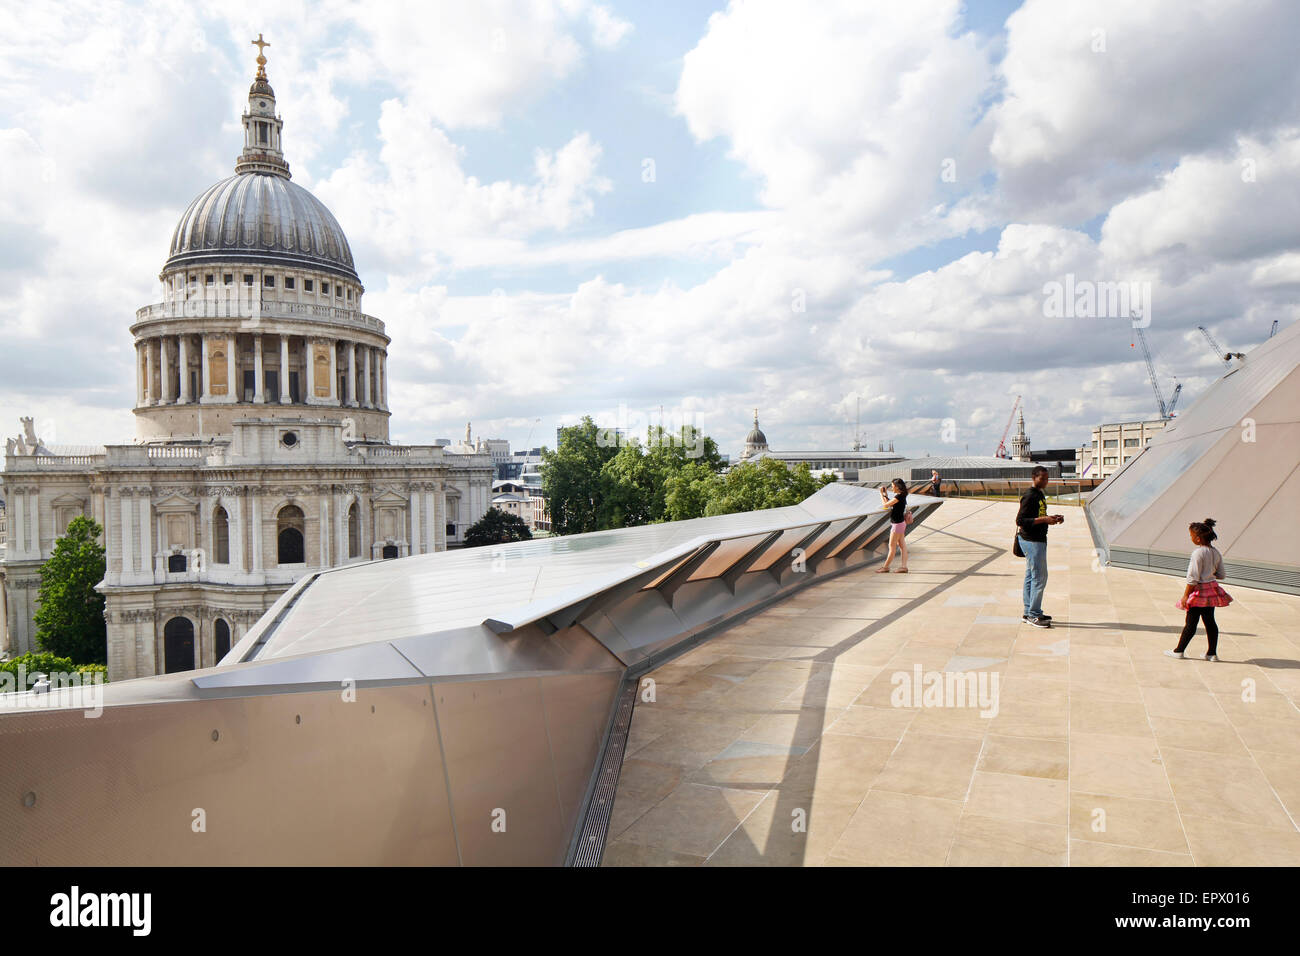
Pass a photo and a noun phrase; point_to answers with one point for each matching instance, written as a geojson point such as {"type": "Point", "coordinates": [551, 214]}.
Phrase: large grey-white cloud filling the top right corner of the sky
{"type": "Point", "coordinates": [1100, 93]}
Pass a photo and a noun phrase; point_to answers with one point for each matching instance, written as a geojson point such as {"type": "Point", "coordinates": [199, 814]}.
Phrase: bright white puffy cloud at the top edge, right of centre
{"type": "Point", "coordinates": [847, 111]}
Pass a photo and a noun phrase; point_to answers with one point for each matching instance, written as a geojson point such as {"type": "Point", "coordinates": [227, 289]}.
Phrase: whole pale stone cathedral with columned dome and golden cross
{"type": "Point", "coordinates": [262, 448]}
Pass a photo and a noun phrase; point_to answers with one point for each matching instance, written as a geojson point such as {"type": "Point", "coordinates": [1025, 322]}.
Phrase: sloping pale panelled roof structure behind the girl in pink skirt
{"type": "Point", "coordinates": [1234, 457]}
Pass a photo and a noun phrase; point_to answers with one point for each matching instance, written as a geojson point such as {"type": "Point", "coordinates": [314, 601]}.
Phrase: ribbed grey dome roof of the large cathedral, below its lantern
{"type": "Point", "coordinates": [261, 218]}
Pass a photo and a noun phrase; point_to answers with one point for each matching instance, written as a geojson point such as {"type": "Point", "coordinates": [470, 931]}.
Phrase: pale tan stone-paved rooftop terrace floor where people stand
{"type": "Point", "coordinates": [1102, 752]}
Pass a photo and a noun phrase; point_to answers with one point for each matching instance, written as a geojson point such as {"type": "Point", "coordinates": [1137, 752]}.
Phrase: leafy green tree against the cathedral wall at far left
{"type": "Point", "coordinates": [70, 612]}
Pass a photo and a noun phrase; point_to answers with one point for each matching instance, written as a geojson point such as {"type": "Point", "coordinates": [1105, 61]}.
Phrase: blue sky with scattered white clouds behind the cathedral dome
{"type": "Point", "coordinates": [565, 207]}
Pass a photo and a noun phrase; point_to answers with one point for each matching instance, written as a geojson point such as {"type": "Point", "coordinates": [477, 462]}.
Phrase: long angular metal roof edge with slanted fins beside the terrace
{"type": "Point", "coordinates": [456, 708]}
